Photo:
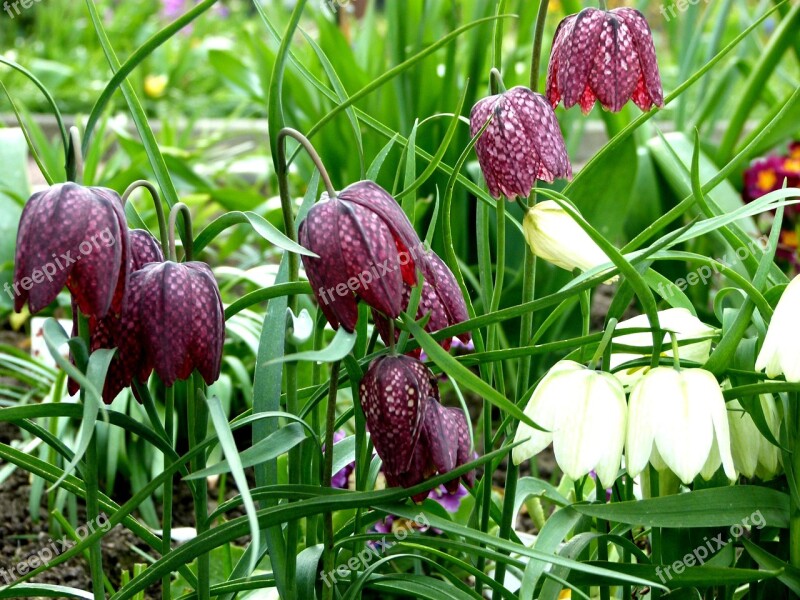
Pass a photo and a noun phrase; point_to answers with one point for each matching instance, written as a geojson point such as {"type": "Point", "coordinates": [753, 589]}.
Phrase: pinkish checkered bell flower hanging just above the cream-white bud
{"type": "Point", "coordinates": [522, 143]}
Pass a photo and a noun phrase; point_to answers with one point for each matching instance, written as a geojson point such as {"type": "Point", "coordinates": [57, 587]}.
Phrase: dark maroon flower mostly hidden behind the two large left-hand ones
{"type": "Point", "coordinates": [120, 331]}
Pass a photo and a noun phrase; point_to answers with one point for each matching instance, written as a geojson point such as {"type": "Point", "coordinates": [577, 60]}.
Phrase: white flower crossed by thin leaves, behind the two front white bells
{"type": "Point", "coordinates": [679, 321]}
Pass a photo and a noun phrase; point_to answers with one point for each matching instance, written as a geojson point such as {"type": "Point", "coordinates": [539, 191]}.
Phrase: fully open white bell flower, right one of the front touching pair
{"type": "Point", "coordinates": [677, 420]}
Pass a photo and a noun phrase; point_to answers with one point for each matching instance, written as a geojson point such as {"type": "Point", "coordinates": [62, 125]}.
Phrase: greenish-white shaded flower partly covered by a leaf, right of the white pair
{"type": "Point", "coordinates": [753, 454]}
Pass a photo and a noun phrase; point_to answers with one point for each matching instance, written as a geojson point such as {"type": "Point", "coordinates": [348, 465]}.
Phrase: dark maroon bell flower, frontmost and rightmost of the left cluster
{"type": "Point", "coordinates": [177, 311]}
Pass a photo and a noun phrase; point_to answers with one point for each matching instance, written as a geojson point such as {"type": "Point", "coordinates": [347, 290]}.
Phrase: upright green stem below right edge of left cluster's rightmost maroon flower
{"type": "Point", "coordinates": [198, 426]}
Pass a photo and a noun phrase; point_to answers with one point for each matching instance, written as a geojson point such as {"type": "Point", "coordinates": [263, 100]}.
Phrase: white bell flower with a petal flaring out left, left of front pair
{"type": "Point", "coordinates": [584, 413]}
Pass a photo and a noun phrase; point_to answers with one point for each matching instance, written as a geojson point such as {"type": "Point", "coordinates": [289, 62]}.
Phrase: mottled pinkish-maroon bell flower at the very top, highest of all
{"type": "Point", "coordinates": [607, 56]}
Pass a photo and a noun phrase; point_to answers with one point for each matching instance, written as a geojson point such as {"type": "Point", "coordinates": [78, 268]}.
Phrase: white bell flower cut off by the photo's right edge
{"type": "Point", "coordinates": [780, 353]}
